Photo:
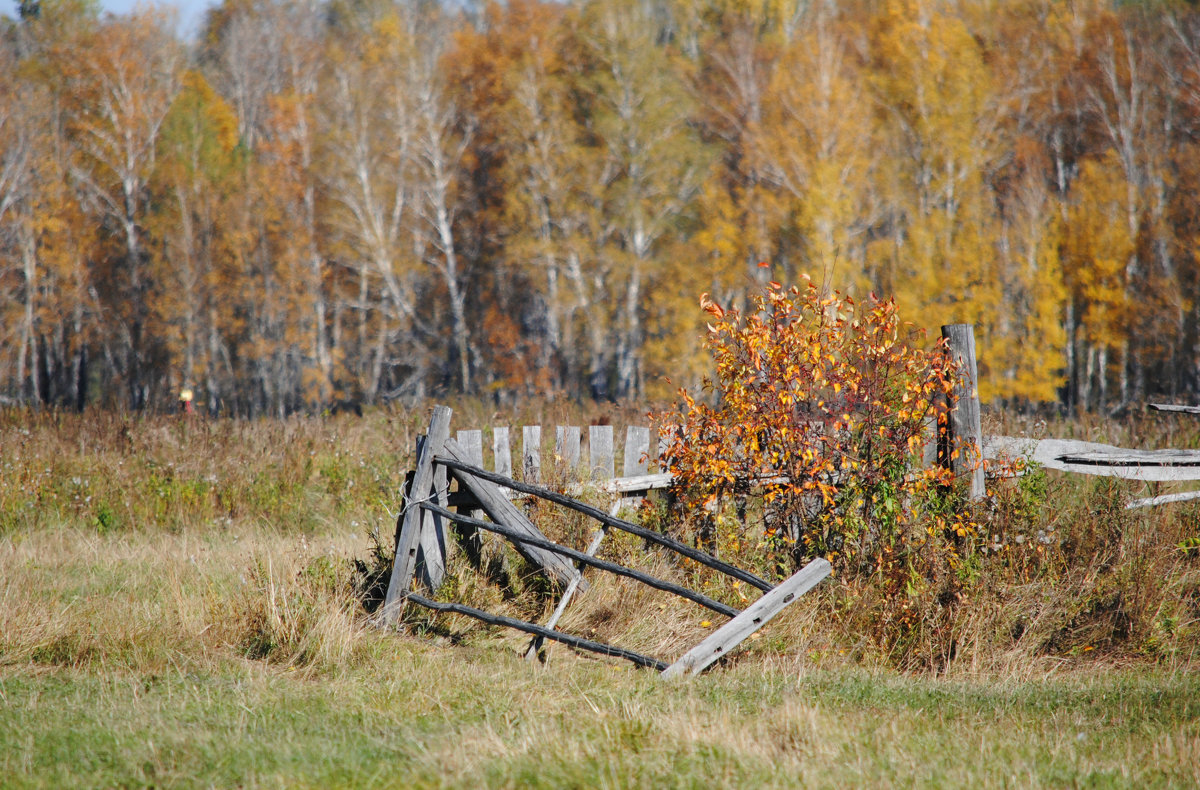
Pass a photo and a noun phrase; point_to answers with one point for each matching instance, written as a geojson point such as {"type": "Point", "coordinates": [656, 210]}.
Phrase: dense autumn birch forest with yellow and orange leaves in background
{"type": "Point", "coordinates": [368, 200]}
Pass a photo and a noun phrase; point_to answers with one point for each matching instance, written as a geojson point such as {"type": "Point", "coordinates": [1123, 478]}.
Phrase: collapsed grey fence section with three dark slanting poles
{"type": "Point", "coordinates": [422, 547]}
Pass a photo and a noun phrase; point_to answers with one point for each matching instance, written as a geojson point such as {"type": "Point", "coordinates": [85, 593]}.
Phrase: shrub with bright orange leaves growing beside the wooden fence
{"type": "Point", "coordinates": [821, 412]}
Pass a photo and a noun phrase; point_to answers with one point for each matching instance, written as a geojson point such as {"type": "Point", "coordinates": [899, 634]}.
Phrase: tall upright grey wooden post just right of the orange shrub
{"type": "Point", "coordinates": [965, 433]}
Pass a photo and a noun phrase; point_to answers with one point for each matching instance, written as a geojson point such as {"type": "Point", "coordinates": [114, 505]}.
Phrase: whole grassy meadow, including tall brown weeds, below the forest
{"type": "Point", "coordinates": [177, 611]}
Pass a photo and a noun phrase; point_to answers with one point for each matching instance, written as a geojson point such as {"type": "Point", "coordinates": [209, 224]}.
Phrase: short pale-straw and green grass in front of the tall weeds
{"type": "Point", "coordinates": [127, 662]}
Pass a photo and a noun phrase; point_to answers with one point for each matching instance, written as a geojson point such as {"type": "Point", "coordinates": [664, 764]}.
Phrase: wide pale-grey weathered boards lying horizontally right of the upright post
{"type": "Point", "coordinates": [1101, 460]}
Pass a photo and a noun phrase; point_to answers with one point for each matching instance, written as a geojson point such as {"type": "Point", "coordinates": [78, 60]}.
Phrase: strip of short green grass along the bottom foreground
{"type": "Point", "coordinates": [421, 715]}
